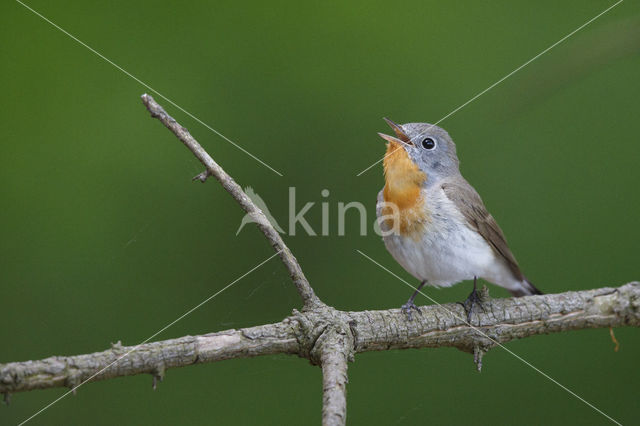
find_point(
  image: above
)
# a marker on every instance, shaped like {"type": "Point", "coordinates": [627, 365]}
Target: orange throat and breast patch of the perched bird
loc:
{"type": "Point", "coordinates": [403, 184]}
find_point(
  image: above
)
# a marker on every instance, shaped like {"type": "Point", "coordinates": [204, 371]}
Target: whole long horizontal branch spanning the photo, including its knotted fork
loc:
{"type": "Point", "coordinates": [306, 334]}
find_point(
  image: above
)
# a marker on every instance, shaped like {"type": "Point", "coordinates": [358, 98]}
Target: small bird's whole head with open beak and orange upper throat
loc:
{"type": "Point", "coordinates": [419, 152]}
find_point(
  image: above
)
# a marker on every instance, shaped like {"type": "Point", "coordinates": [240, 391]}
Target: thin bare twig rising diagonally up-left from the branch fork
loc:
{"type": "Point", "coordinates": [213, 169]}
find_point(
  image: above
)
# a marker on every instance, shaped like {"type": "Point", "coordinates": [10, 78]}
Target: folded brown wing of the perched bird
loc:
{"type": "Point", "coordinates": [470, 204]}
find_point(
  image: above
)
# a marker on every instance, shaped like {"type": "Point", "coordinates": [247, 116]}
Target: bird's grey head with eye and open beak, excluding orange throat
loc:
{"type": "Point", "coordinates": [428, 146]}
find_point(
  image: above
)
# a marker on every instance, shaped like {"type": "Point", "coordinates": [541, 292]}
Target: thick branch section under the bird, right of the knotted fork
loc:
{"type": "Point", "coordinates": [503, 320]}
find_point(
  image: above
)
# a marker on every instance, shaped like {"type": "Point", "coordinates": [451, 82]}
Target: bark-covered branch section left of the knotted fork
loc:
{"type": "Point", "coordinates": [150, 358]}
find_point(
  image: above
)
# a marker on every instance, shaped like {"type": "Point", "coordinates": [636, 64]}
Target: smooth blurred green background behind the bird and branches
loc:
{"type": "Point", "coordinates": [103, 237]}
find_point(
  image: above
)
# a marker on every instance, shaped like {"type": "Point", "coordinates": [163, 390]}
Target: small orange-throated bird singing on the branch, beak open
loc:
{"type": "Point", "coordinates": [434, 223]}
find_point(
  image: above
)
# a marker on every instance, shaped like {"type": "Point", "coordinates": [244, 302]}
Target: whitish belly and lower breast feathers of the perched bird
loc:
{"type": "Point", "coordinates": [449, 251]}
